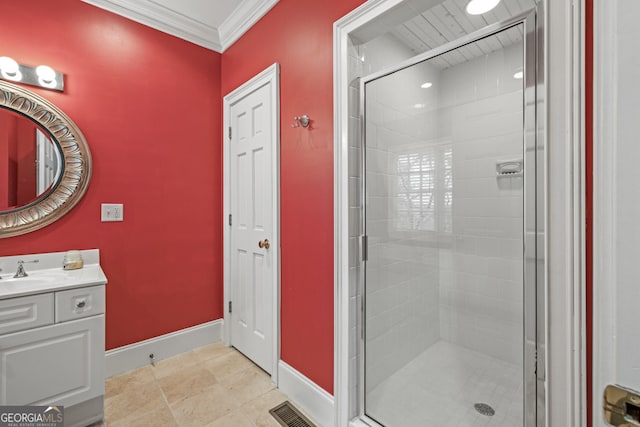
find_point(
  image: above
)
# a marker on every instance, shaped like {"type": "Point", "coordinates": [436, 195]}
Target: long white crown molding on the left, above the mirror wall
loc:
{"type": "Point", "coordinates": [163, 19]}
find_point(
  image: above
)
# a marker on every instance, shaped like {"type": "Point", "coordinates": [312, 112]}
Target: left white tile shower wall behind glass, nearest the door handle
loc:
{"type": "Point", "coordinates": [402, 302]}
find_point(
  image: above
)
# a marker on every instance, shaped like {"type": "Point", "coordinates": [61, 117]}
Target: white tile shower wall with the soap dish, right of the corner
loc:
{"type": "Point", "coordinates": [481, 299]}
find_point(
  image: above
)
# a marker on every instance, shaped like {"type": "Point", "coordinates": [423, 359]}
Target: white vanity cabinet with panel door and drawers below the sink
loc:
{"type": "Point", "coordinates": [52, 344]}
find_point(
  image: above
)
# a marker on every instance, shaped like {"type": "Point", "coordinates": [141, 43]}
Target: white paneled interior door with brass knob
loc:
{"type": "Point", "coordinates": [253, 240]}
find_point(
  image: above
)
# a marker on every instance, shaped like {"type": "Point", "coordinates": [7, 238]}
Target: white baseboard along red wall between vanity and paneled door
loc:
{"type": "Point", "coordinates": [136, 355]}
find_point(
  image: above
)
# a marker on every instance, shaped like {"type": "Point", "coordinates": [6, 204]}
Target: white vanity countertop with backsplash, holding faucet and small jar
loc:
{"type": "Point", "coordinates": [47, 275]}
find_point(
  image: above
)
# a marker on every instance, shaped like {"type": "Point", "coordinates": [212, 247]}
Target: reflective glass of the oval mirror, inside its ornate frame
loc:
{"type": "Point", "coordinates": [30, 161]}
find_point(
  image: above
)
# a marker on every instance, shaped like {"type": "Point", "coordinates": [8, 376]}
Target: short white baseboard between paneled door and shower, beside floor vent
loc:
{"type": "Point", "coordinates": [308, 395]}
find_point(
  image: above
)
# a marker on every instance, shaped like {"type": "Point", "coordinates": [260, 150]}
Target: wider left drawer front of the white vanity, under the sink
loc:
{"type": "Point", "coordinates": [18, 314]}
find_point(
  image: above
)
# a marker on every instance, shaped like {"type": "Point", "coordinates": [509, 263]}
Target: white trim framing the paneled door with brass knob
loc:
{"type": "Point", "coordinates": [270, 76]}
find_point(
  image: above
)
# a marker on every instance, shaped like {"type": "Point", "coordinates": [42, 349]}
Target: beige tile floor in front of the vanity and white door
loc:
{"type": "Point", "coordinates": [213, 386]}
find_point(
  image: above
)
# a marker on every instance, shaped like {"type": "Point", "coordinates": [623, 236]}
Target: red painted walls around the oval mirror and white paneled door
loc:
{"type": "Point", "coordinates": [150, 107]}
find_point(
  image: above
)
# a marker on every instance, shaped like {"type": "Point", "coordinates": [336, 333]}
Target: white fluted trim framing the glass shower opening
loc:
{"type": "Point", "coordinates": [564, 248]}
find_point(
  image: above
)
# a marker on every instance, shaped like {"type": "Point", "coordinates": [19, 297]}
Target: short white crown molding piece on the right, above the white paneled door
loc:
{"type": "Point", "coordinates": [241, 19]}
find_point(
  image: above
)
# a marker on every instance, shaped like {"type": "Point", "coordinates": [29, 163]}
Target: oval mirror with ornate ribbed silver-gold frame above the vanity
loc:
{"type": "Point", "coordinates": [45, 162]}
